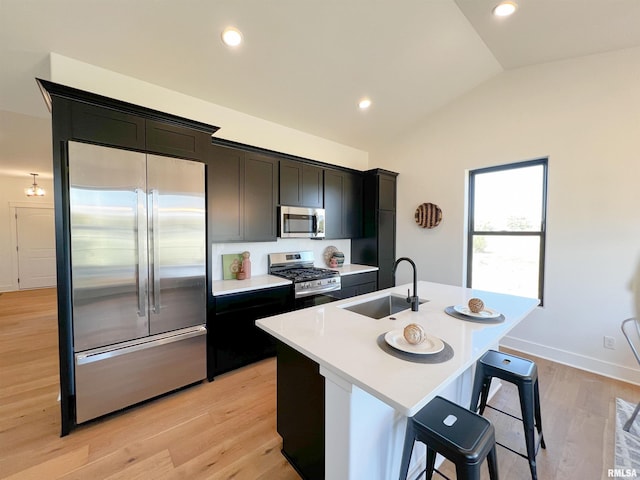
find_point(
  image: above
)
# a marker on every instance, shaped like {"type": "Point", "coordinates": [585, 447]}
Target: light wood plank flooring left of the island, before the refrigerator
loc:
{"type": "Point", "coordinates": [219, 430]}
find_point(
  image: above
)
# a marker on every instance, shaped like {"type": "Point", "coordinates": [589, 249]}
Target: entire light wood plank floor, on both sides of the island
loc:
{"type": "Point", "coordinates": [226, 429]}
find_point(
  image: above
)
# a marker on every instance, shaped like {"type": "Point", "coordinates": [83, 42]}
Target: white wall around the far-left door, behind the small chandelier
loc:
{"type": "Point", "coordinates": [12, 191]}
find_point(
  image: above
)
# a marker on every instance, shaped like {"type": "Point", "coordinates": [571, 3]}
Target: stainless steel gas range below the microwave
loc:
{"type": "Point", "coordinates": [307, 280]}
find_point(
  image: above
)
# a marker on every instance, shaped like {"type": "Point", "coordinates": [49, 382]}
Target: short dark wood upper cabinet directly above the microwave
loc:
{"type": "Point", "coordinates": [300, 184]}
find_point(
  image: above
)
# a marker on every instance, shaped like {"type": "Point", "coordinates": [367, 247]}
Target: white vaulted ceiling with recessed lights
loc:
{"type": "Point", "coordinates": [303, 64]}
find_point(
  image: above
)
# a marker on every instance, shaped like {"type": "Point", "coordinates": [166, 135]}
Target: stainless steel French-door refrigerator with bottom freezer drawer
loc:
{"type": "Point", "coordinates": [138, 278]}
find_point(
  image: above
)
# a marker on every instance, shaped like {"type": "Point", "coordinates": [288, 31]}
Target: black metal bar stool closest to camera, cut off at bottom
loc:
{"type": "Point", "coordinates": [460, 435]}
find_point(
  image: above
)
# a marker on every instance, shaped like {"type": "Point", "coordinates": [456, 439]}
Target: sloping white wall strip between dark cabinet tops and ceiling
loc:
{"type": "Point", "coordinates": [234, 125]}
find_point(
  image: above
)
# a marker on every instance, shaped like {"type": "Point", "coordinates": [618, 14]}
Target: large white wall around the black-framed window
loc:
{"type": "Point", "coordinates": [584, 114]}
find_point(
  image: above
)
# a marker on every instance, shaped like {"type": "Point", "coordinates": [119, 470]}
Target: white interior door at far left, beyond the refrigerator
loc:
{"type": "Point", "coordinates": [35, 239]}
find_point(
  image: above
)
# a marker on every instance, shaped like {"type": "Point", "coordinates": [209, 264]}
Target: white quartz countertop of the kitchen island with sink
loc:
{"type": "Point", "coordinates": [344, 342]}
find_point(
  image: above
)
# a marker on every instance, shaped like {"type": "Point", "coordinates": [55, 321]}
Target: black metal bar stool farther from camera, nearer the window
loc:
{"type": "Point", "coordinates": [524, 374]}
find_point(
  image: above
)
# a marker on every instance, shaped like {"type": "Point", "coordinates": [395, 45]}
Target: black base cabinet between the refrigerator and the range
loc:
{"type": "Point", "coordinates": [233, 337]}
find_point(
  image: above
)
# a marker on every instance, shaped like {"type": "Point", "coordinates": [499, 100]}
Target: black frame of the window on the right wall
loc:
{"type": "Point", "coordinates": [541, 233]}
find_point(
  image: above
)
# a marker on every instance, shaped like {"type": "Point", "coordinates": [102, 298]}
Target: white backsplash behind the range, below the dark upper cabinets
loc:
{"type": "Point", "coordinates": [261, 250]}
